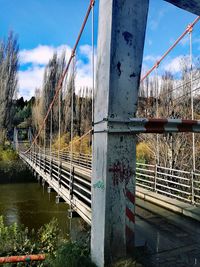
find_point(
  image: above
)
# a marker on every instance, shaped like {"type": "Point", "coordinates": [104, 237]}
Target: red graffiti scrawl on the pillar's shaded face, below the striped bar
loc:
{"type": "Point", "coordinates": [121, 173]}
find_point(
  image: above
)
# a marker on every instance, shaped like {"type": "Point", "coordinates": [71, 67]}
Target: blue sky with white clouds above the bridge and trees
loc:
{"type": "Point", "coordinates": [46, 26]}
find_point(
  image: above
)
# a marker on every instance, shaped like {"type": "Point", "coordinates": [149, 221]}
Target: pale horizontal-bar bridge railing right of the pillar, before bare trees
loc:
{"type": "Point", "coordinates": [174, 183]}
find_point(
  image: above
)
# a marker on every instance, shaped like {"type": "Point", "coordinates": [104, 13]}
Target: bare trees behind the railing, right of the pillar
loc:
{"type": "Point", "coordinates": [171, 97]}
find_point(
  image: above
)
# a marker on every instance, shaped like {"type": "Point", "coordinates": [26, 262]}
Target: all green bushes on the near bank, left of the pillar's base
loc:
{"type": "Point", "coordinates": [19, 240]}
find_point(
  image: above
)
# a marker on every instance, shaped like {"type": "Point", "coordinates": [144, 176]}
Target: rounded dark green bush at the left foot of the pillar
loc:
{"type": "Point", "coordinates": [71, 254]}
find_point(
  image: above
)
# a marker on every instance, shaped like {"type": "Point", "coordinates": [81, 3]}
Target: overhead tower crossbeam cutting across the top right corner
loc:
{"type": "Point", "coordinates": [189, 5]}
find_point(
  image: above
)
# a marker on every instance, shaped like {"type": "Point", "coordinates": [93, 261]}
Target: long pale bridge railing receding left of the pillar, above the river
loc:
{"type": "Point", "coordinates": [60, 172]}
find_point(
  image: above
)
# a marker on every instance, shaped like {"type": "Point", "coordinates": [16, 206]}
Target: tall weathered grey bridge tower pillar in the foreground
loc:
{"type": "Point", "coordinates": [122, 26]}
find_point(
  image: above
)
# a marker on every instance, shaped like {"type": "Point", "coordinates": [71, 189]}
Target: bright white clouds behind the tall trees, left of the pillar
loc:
{"type": "Point", "coordinates": [32, 77]}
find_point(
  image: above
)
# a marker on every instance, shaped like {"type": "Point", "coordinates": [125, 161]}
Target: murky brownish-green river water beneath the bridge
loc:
{"type": "Point", "coordinates": [25, 201]}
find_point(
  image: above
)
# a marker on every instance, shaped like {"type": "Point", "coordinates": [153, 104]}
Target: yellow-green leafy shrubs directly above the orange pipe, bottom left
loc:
{"type": "Point", "coordinates": [18, 240]}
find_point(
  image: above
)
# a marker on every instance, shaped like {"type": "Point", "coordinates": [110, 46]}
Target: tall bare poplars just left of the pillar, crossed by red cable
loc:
{"type": "Point", "coordinates": [75, 106]}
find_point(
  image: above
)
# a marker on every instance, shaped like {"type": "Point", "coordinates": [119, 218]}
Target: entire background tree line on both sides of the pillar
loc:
{"type": "Point", "coordinates": [163, 96]}
